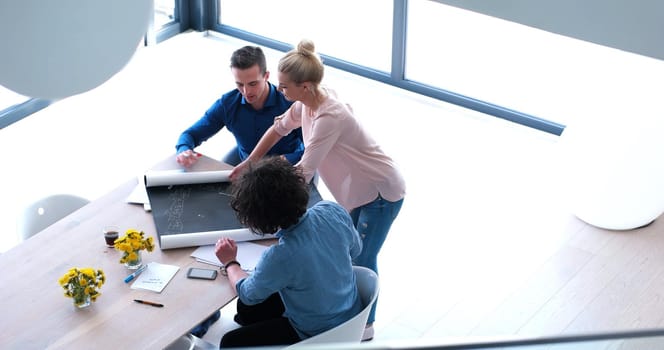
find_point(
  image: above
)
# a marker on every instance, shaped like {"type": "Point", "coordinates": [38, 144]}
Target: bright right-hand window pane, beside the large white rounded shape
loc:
{"type": "Point", "coordinates": [554, 77]}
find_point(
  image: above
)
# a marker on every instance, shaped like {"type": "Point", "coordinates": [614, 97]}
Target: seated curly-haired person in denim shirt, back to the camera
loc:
{"type": "Point", "coordinates": [303, 285]}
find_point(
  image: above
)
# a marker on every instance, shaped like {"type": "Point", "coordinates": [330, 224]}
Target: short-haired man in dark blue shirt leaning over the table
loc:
{"type": "Point", "coordinates": [247, 112]}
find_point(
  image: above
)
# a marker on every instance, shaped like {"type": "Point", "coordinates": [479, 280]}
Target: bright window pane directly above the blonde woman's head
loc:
{"type": "Point", "coordinates": [353, 31]}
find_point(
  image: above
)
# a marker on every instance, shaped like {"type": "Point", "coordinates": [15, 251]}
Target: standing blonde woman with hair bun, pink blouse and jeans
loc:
{"type": "Point", "coordinates": [360, 176]}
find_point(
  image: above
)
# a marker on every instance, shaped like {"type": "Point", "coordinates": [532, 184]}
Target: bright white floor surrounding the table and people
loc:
{"type": "Point", "coordinates": [485, 245]}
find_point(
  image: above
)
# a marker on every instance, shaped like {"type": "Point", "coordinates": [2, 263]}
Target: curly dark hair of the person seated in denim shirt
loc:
{"type": "Point", "coordinates": [271, 195]}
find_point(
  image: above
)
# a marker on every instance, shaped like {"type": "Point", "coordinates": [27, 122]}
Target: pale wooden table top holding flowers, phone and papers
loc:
{"type": "Point", "coordinates": [36, 314]}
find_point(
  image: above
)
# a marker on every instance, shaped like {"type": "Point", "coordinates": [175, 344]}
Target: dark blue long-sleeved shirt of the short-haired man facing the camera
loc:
{"type": "Point", "coordinates": [246, 124]}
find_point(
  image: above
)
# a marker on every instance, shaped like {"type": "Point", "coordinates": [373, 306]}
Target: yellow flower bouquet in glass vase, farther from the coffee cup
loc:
{"type": "Point", "coordinates": [82, 284]}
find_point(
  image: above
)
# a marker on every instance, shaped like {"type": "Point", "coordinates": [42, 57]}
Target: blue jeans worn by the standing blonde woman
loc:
{"type": "Point", "coordinates": [373, 221]}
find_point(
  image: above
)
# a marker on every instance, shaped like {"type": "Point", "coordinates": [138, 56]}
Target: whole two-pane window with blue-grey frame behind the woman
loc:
{"type": "Point", "coordinates": [519, 73]}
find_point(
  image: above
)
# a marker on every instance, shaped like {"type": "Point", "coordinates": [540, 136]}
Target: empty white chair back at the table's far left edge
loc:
{"type": "Point", "coordinates": [46, 211]}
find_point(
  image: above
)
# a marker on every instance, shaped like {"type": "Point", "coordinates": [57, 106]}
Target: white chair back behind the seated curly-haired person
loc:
{"type": "Point", "coordinates": [351, 331]}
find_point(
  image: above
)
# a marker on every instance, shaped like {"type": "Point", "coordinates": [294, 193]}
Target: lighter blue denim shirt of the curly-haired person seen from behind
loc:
{"type": "Point", "coordinates": [311, 268]}
